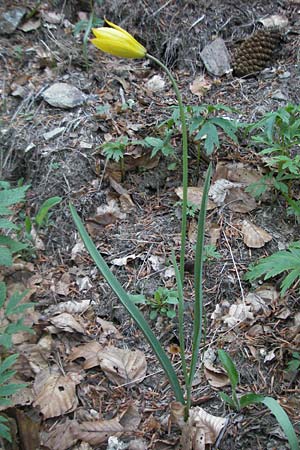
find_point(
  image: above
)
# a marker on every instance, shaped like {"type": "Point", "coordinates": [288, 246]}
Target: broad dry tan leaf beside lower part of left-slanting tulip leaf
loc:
{"type": "Point", "coordinates": [123, 366]}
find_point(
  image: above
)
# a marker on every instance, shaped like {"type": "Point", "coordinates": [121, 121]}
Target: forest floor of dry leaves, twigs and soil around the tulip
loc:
{"type": "Point", "coordinates": [134, 219]}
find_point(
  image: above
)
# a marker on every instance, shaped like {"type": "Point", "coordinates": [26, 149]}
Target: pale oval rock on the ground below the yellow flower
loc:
{"type": "Point", "coordinates": [63, 95]}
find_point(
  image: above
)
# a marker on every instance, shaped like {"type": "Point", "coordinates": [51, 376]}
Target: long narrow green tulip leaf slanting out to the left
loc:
{"type": "Point", "coordinates": [129, 306]}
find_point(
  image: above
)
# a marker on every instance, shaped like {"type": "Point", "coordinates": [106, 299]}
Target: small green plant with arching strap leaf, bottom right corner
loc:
{"type": "Point", "coordinates": [245, 400]}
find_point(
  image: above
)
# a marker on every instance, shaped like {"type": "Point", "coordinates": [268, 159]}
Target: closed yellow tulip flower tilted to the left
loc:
{"type": "Point", "coordinates": [117, 42]}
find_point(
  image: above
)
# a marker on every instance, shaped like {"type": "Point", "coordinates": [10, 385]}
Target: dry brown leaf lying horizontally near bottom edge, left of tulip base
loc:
{"type": "Point", "coordinates": [98, 432]}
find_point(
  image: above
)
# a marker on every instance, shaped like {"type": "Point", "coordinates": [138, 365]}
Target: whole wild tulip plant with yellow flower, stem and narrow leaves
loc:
{"type": "Point", "coordinates": [118, 42]}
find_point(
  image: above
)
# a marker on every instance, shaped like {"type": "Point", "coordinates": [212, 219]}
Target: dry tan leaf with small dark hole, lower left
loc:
{"type": "Point", "coordinates": [55, 394]}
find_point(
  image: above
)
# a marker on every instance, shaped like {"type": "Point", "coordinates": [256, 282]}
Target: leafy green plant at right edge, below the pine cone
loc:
{"type": "Point", "coordinates": [277, 134]}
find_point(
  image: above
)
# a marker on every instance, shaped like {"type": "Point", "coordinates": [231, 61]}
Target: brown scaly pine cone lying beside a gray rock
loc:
{"type": "Point", "coordinates": [255, 53]}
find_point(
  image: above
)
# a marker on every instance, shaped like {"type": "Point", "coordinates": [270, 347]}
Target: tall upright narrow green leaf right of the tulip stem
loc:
{"type": "Point", "coordinates": [199, 257]}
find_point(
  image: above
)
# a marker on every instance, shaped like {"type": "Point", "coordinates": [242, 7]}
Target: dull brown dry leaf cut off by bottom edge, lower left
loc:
{"type": "Point", "coordinates": [61, 437]}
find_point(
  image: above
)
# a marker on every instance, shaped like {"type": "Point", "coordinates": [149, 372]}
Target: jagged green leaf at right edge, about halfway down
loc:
{"type": "Point", "coordinates": [281, 262]}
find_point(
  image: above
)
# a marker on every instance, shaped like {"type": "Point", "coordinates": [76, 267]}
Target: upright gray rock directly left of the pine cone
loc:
{"type": "Point", "coordinates": [216, 58]}
